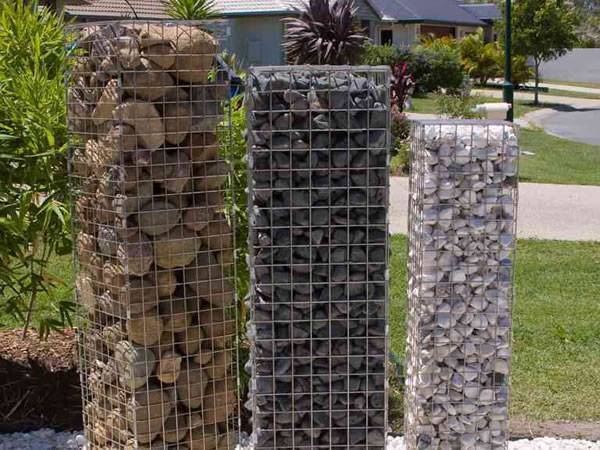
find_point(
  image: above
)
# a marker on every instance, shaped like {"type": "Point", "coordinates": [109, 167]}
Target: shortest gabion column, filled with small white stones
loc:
{"type": "Point", "coordinates": [463, 200]}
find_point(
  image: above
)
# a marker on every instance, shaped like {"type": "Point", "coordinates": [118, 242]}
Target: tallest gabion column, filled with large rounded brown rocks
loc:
{"type": "Point", "coordinates": [154, 246]}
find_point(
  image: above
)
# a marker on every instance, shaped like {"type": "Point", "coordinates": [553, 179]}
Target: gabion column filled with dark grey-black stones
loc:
{"type": "Point", "coordinates": [318, 155]}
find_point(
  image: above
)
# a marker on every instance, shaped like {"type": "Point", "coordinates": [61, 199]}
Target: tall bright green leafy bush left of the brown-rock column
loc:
{"type": "Point", "coordinates": [34, 218]}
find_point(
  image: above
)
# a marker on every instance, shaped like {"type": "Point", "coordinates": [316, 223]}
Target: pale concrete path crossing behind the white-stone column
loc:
{"type": "Point", "coordinates": [546, 211]}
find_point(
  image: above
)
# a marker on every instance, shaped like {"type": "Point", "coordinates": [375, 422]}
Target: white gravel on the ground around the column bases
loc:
{"type": "Point", "coordinates": [50, 440]}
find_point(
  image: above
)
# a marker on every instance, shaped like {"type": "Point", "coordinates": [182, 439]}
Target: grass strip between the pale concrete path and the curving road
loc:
{"type": "Point", "coordinates": [558, 160]}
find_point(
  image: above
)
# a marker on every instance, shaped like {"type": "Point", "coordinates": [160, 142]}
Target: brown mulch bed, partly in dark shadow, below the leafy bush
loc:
{"type": "Point", "coordinates": [39, 383]}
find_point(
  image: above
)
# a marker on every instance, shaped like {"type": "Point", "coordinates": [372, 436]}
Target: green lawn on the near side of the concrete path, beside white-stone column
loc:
{"type": "Point", "coordinates": [556, 329]}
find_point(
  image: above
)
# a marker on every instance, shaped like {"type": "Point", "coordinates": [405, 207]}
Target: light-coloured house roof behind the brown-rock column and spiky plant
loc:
{"type": "Point", "coordinates": [146, 9]}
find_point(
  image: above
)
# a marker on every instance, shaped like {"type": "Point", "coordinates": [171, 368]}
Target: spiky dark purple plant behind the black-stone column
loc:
{"type": "Point", "coordinates": [326, 33]}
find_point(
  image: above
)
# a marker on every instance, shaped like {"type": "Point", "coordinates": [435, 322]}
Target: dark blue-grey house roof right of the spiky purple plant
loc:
{"type": "Point", "coordinates": [436, 11]}
